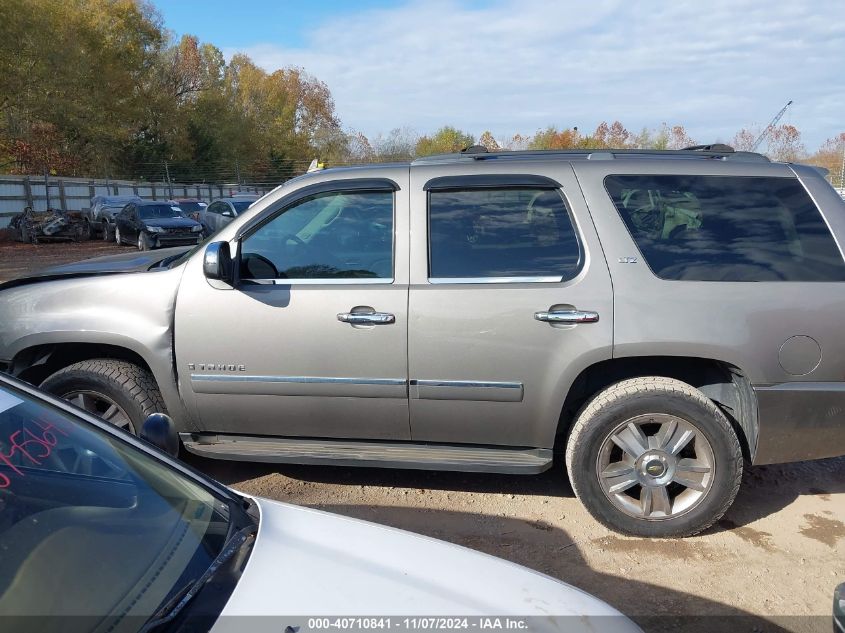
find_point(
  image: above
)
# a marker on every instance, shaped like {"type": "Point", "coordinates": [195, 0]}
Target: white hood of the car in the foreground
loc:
{"type": "Point", "coordinates": [309, 563]}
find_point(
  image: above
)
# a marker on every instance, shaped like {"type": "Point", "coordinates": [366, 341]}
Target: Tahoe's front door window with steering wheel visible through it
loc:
{"type": "Point", "coordinates": [326, 236]}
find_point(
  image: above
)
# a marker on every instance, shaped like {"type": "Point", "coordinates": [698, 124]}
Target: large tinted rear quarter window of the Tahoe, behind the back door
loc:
{"type": "Point", "coordinates": [727, 228]}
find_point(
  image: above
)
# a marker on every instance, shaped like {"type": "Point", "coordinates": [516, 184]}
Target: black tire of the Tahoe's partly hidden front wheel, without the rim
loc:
{"type": "Point", "coordinates": [131, 387]}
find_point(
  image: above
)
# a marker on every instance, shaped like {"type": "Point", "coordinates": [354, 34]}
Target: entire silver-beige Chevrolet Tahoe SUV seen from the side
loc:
{"type": "Point", "coordinates": [656, 319]}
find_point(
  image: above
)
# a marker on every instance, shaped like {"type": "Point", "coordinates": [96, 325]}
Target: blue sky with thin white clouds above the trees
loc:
{"type": "Point", "coordinates": [519, 65]}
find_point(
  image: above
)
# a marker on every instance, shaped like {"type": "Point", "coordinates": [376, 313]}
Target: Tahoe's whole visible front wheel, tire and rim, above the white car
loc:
{"type": "Point", "coordinates": [118, 391]}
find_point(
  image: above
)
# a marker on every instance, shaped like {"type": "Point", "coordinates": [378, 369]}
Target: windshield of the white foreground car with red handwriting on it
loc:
{"type": "Point", "coordinates": [92, 526]}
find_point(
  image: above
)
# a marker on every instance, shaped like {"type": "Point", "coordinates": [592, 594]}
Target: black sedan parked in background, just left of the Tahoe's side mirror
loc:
{"type": "Point", "coordinates": [155, 225]}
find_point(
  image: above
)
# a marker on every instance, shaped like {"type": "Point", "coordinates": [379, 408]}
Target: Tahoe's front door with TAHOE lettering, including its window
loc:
{"type": "Point", "coordinates": [312, 342]}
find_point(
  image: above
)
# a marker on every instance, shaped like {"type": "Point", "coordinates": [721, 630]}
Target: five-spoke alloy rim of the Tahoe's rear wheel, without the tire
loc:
{"type": "Point", "coordinates": [655, 466]}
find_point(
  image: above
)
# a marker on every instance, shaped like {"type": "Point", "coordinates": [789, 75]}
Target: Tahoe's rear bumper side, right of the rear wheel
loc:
{"type": "Point", "coordinates": [800, 420]}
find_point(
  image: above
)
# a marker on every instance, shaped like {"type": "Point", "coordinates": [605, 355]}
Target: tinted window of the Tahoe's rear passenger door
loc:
{"type": "Point", "coordinates": [508, 232]}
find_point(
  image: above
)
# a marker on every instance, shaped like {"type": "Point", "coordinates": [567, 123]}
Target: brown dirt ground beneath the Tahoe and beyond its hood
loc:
{"type": "Point", "coordinates": [770, 565]}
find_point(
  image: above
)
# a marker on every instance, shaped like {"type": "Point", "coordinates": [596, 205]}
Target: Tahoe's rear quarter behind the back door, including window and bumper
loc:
{"type": "Point", "coordinates": [733, 261]}
